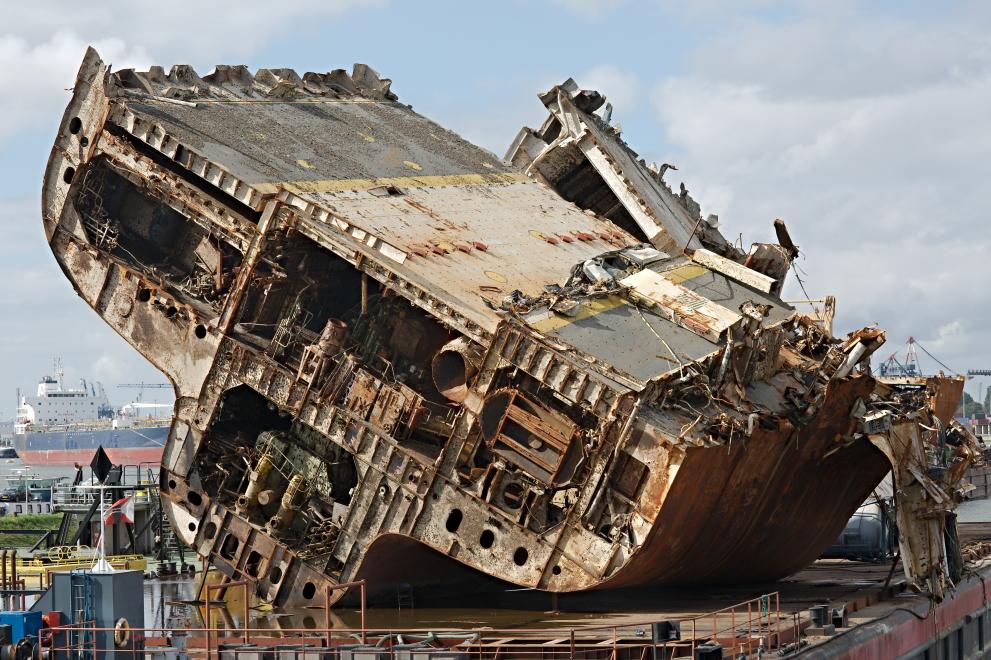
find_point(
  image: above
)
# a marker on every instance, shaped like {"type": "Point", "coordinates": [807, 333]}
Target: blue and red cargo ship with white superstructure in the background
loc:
{"type": "Point", "coordinates": [65, 426]}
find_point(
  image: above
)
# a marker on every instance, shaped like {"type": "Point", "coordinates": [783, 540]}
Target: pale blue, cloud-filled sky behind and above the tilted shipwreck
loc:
{"type": "Point", "coordinates": [865, 125]}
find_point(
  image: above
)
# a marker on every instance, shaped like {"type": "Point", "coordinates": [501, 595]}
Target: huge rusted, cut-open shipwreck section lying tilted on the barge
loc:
{"type": "Point", "coordinates": [382, 338]}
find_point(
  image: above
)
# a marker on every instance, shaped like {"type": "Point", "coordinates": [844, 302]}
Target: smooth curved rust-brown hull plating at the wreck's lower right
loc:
{"type": "Point", "coordinates": [761, 508]}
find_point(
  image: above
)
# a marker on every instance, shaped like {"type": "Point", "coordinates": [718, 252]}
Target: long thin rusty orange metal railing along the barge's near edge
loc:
{"type": "Point", "coordinates": [752, 627]}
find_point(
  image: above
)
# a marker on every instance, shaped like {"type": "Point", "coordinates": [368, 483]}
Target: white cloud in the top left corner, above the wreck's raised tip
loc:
{"type": "Point", "coordinates": [39, 61]}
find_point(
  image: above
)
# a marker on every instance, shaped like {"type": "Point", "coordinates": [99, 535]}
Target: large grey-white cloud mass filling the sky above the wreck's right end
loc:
{"type": "Point", "coordinates": [872, 147]}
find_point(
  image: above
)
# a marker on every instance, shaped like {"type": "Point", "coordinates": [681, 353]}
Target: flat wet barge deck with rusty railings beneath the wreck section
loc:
{"type": "Point", "coordinates": [874, 618]}
